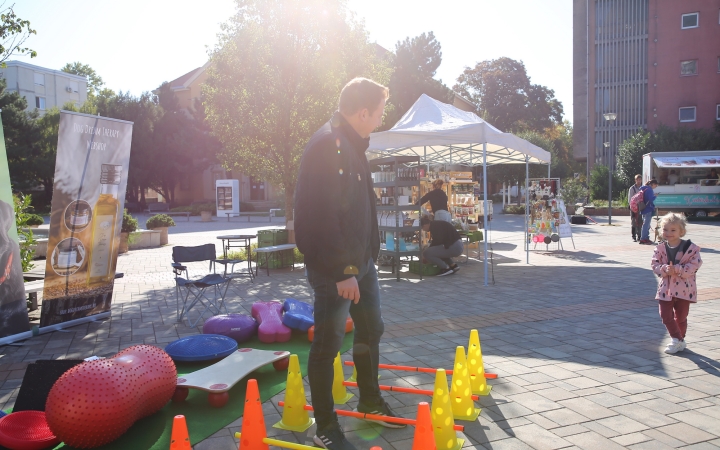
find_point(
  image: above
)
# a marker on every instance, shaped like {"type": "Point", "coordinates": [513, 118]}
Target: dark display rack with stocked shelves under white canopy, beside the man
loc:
{"type": "Point", "coordinates": [394, 175]}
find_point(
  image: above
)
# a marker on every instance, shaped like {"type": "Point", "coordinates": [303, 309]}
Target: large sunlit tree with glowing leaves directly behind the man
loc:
{"type": "Point", "coordinates": [275, 78]}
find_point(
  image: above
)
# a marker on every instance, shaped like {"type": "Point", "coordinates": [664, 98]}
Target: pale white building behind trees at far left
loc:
{"type": "Point", "coordinates": [44, 88]}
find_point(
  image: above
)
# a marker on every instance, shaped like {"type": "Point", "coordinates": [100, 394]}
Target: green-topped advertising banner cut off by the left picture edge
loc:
{"type": "Point", "coordinates": [13, 309]}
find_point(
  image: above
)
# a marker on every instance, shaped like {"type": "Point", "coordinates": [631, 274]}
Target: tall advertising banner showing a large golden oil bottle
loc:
{"type": "Point", "coordinates": [91, 172]}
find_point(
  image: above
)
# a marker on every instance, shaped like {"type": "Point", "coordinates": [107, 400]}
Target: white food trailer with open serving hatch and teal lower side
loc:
{"type": "Point", "coordinates": [684, 180]}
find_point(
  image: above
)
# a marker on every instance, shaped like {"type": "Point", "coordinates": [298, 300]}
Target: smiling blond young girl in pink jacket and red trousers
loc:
{"type": "Point", "coordinates": [676, 261]}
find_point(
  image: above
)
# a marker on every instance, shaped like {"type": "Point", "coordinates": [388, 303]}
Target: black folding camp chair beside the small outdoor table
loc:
{"type": "Point", "coordinates": [194, 290]}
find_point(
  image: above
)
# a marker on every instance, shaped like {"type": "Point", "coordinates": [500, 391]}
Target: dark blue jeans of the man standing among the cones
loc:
{"type": "Point", "coordinates": [331, 311]}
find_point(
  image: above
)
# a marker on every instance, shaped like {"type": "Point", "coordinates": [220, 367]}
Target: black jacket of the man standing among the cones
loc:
{"type": "Point", "coordinates": [335, 217]}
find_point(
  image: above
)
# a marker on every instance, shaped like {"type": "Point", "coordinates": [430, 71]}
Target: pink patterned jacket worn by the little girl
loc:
{"type": "Point", "coordinates": [682, 286]}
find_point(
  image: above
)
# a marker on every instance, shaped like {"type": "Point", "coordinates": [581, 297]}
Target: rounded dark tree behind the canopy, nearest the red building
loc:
{"type": "Point", "coordinates": [504, 95]}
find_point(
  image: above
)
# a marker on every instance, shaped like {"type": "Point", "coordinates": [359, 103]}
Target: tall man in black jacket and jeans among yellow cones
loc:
{"type": "Point", "coordinates": [336, 230]}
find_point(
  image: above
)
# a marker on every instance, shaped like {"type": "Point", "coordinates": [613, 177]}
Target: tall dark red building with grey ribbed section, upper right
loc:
{"type": "Point", "coordinates": [649, 62]}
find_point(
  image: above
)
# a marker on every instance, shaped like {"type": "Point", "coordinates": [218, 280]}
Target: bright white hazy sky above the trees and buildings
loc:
{"type": "Point", "coordinates": [136, 45]}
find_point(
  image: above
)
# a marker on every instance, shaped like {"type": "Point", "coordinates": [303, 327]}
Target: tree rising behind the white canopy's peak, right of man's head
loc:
{"type": "Point", "coordinates": [415, 63]}
